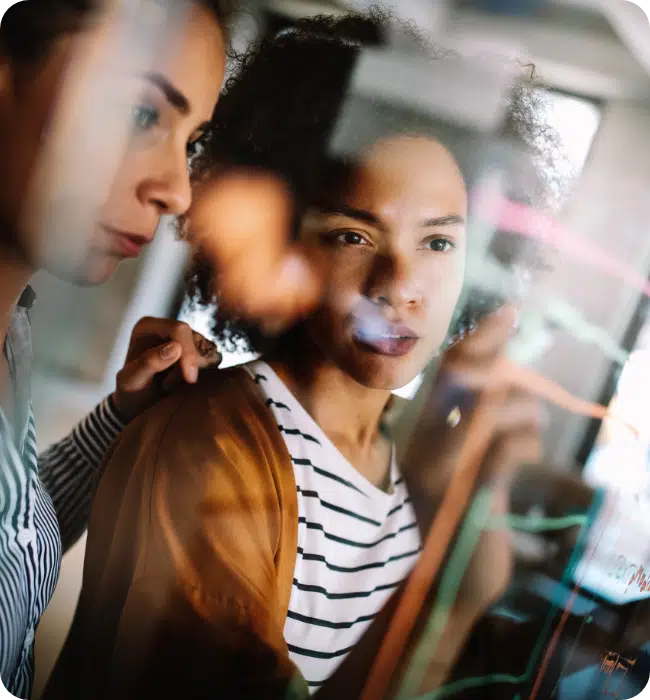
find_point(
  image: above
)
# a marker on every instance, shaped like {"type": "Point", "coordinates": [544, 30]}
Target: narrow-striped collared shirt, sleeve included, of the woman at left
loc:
{"type": "Point", "coordinates": [44, 507]}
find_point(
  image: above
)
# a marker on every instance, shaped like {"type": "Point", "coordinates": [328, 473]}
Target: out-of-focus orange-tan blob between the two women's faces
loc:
{"type": "Point", "coordinates": [243, 222]}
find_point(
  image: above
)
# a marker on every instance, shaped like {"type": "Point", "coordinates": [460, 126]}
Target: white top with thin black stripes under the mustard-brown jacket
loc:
{"type": "Point", "coordinates": [356, 543]}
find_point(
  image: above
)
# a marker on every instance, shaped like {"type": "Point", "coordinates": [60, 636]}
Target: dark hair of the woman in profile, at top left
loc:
{"type": "Point", "coordinates": [28, 28]}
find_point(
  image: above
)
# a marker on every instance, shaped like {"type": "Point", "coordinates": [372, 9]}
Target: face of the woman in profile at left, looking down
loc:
{"type": "Point", "coordinates": [174, 100]}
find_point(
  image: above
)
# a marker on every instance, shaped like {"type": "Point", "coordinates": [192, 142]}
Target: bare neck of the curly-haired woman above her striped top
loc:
{"type": "Point", "coordinates": [347, 412]}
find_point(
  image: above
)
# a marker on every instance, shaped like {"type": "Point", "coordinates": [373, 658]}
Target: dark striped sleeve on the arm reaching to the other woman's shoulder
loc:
{"type": "Point", "coordinates": [69, 468]}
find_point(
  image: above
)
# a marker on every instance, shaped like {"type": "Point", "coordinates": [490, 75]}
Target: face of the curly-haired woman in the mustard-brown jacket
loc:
{"type": "Point", "coordinates": [393, 247]}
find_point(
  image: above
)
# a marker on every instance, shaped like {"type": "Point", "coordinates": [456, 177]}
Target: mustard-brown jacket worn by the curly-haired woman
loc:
{"type": "Point", "coordinates": [190, 556]}
